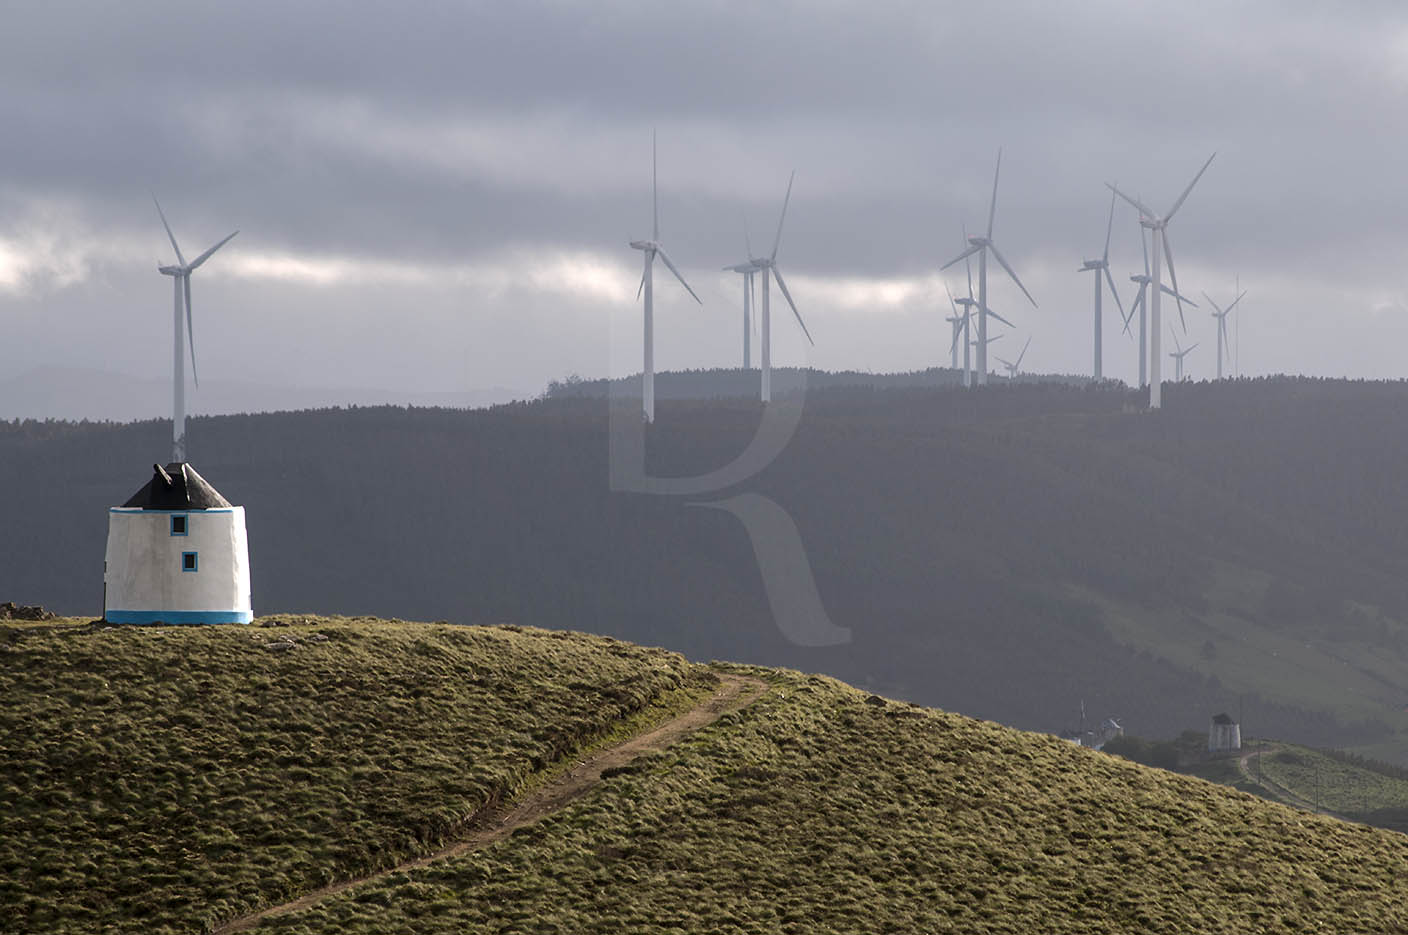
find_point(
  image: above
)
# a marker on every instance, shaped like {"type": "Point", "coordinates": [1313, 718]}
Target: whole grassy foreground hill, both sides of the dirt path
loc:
{"type": "Point", "coordinates": [165, 779]}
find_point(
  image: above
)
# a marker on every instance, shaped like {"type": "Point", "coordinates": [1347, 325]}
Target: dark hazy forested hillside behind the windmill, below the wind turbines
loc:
{"type": "Point", "coordinates": [1006, 554]}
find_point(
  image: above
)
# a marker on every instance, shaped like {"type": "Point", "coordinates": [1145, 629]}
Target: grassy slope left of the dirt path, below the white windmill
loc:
{"type": "Point", "coordinates": [165, 779]}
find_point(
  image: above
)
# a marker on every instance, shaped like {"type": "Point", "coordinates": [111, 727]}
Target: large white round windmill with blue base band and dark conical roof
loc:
{"type": "Point", "coordinates": [177, 554]}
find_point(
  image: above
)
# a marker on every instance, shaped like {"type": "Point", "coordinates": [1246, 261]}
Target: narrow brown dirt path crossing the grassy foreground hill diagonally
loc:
{"type": "Point", "coordinates": [499, 822]}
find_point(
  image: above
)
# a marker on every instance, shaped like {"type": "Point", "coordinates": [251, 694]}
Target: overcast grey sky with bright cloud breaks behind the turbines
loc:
{"type": "Point", "coordinates": [440, 198]}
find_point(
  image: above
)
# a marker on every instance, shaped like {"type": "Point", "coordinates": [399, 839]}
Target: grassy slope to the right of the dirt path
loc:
{"type": "Point", "coordinates": [823, 810]}
